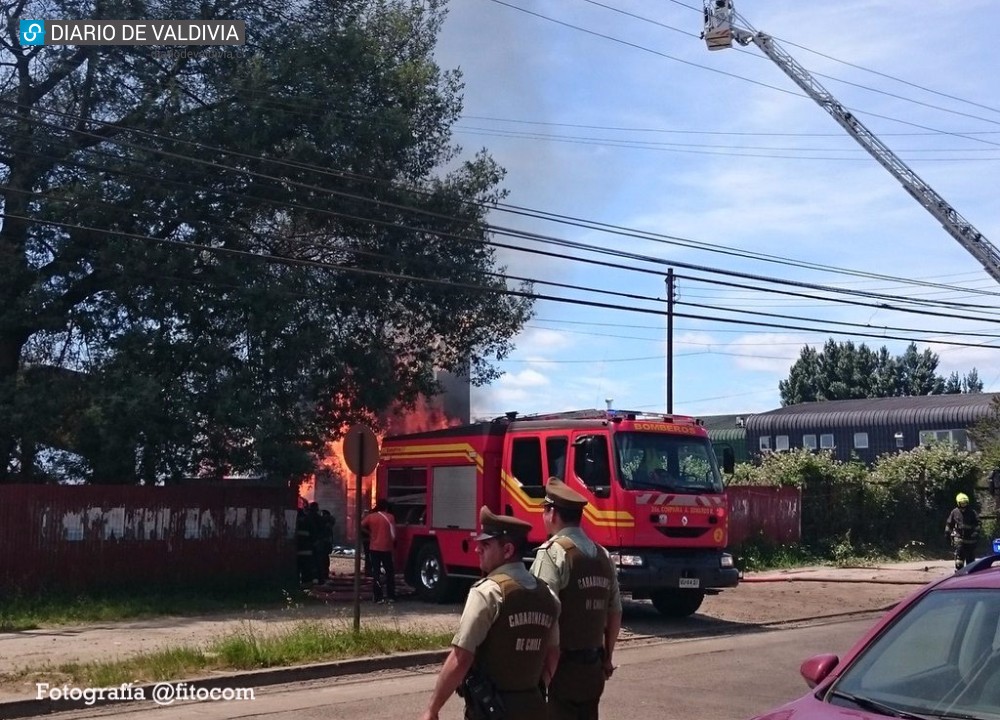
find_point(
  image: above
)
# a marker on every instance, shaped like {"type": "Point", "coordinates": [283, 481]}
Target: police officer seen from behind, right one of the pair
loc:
{"type": "Point", "coordinates": [584, 576]}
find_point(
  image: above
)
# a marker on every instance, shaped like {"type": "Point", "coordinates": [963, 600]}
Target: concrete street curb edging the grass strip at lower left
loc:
{"type": "Point", "coordinates": [248, 679]}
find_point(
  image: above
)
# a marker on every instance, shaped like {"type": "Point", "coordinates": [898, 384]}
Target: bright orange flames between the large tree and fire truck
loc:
{"type": "Point", "coordinates": [427, 414]}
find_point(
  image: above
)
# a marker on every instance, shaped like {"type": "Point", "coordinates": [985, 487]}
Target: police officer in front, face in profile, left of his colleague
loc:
{"type": "Point", "coordinates": [509, 631]}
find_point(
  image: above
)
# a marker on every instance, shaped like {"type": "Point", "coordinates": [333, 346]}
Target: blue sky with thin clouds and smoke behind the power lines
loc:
{"type": "Point", "coordinates": [651, 131]}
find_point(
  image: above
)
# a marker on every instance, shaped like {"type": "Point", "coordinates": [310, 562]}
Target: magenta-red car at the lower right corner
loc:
{"type": "Point", "coordinates": [935, 655]}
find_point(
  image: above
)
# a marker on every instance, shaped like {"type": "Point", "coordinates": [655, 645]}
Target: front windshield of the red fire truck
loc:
{"type": "Point", "coordinates": [670, 463]}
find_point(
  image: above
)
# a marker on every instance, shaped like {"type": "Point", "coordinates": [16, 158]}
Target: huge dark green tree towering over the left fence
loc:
{"type": "Point", "coordinates": [211, 260]}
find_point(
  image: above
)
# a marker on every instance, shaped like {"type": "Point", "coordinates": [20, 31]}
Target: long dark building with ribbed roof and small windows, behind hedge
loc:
{"type": "Point", "coordinates": [868, 427]}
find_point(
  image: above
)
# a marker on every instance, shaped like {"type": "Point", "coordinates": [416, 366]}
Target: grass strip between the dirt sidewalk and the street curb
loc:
{"type": "Point", "coordinates": [249, 648]}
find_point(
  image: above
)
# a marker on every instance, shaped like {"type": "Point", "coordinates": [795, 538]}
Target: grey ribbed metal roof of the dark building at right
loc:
{"type": "Point", "coordinates": [937, 411]}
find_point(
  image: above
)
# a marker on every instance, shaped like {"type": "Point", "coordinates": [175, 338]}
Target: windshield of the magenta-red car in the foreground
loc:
{"type": "Point", "coordinates": [941, 658]}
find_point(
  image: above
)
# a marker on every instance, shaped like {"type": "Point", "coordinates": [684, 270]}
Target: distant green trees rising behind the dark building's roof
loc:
{"type": "Point", "coordinates": [843, 371]}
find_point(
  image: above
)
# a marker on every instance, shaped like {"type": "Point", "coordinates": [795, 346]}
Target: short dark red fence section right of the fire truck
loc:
{"type": "Point", "coordinates": [770, 513]}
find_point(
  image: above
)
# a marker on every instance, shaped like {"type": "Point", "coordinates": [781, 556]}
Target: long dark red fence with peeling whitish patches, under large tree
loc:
{"type": "Point", "coordinates": [57, 537]}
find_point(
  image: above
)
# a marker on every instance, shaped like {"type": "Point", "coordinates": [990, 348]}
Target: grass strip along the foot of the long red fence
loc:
{"type": "Point", "coordinates": [27, 612]}
